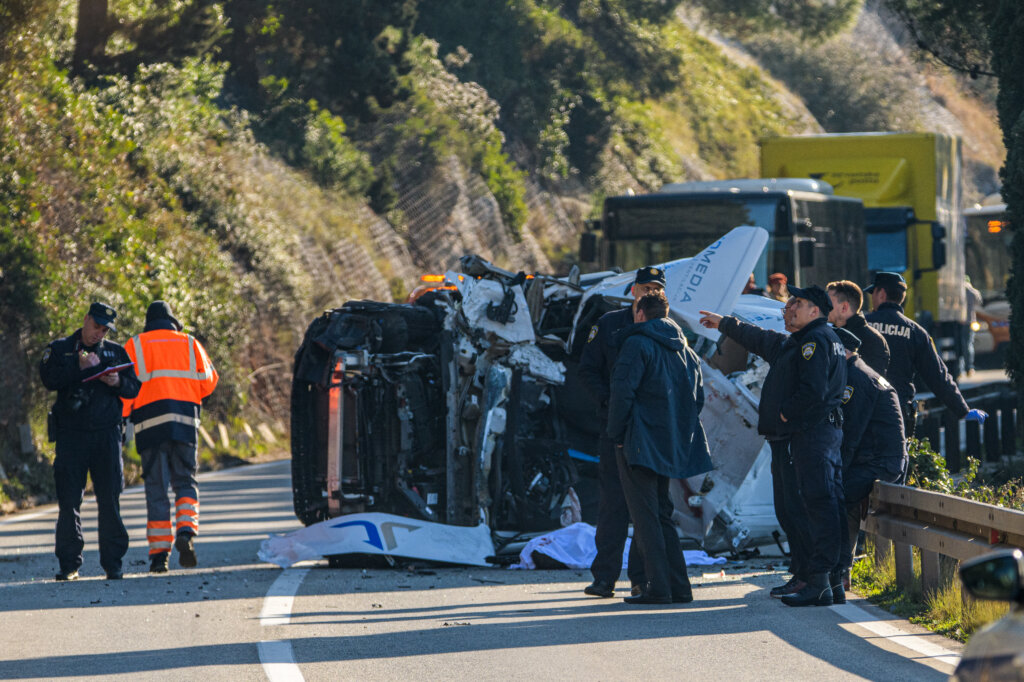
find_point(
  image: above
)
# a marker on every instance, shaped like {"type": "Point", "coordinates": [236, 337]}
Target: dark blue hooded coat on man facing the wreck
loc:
{"type": "Point", "coordinates": [656, 401]}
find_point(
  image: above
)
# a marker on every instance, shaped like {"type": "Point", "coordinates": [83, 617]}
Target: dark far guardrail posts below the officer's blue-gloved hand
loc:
{"type": "Point", "coordinates": [990, 443]}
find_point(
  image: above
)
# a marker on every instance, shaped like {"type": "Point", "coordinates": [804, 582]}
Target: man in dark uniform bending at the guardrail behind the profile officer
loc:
{"type": "Point", "coordinates": [874, 447]}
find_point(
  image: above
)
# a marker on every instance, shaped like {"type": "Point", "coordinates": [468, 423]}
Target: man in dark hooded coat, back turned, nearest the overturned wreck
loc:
{"type": "Point", "coordinates": [654, 419]}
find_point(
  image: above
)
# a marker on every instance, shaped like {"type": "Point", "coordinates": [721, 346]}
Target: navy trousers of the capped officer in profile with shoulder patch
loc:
{"type": "Point", "coordinates": [820, 475]}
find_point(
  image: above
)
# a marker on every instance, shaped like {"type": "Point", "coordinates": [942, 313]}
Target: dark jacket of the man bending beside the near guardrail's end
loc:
{"type": "Point", "coordinates": [873, 425]}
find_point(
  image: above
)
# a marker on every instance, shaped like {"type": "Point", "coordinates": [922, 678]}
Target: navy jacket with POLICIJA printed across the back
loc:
{"type": "Point", "coordinates": [912, 351]}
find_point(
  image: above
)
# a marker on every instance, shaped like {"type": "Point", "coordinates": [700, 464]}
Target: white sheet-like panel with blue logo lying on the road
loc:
{"type": "Point", "coordinates": [383, 535]}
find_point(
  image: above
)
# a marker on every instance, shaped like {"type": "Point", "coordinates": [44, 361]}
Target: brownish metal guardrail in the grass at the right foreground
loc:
{"type": "Point", "coordinates": [941, 526]}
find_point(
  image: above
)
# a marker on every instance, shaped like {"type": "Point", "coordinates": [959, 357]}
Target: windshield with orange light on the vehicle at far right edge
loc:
{"type": "Point", "coordinates": [988, 248]}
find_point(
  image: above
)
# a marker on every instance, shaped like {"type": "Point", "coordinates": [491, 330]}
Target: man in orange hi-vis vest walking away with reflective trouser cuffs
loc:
{"type": "Point", "coordinates": [177, 375]}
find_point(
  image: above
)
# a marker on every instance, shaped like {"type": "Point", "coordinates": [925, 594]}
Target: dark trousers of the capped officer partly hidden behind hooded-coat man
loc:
{"type": "Point", "coordinates": [613, 525]}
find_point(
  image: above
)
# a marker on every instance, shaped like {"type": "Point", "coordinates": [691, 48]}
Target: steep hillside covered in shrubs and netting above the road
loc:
{"type": "Point", "coordinates": [255, 164]}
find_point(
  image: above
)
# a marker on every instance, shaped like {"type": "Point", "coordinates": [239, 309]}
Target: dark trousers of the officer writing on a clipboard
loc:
{"type": "Point", "coordinates": [99, 455]}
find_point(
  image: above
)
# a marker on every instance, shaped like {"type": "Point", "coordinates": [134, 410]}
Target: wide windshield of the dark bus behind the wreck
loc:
{"type": "Point", "coordinates": [647, 230]}
